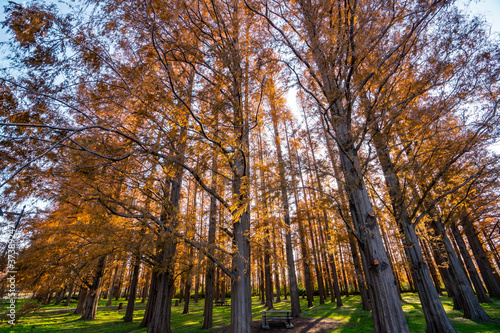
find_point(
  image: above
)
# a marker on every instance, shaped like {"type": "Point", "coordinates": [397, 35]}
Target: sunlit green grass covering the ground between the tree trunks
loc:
{"type": "Point", "coordinates": [352, 317]}
